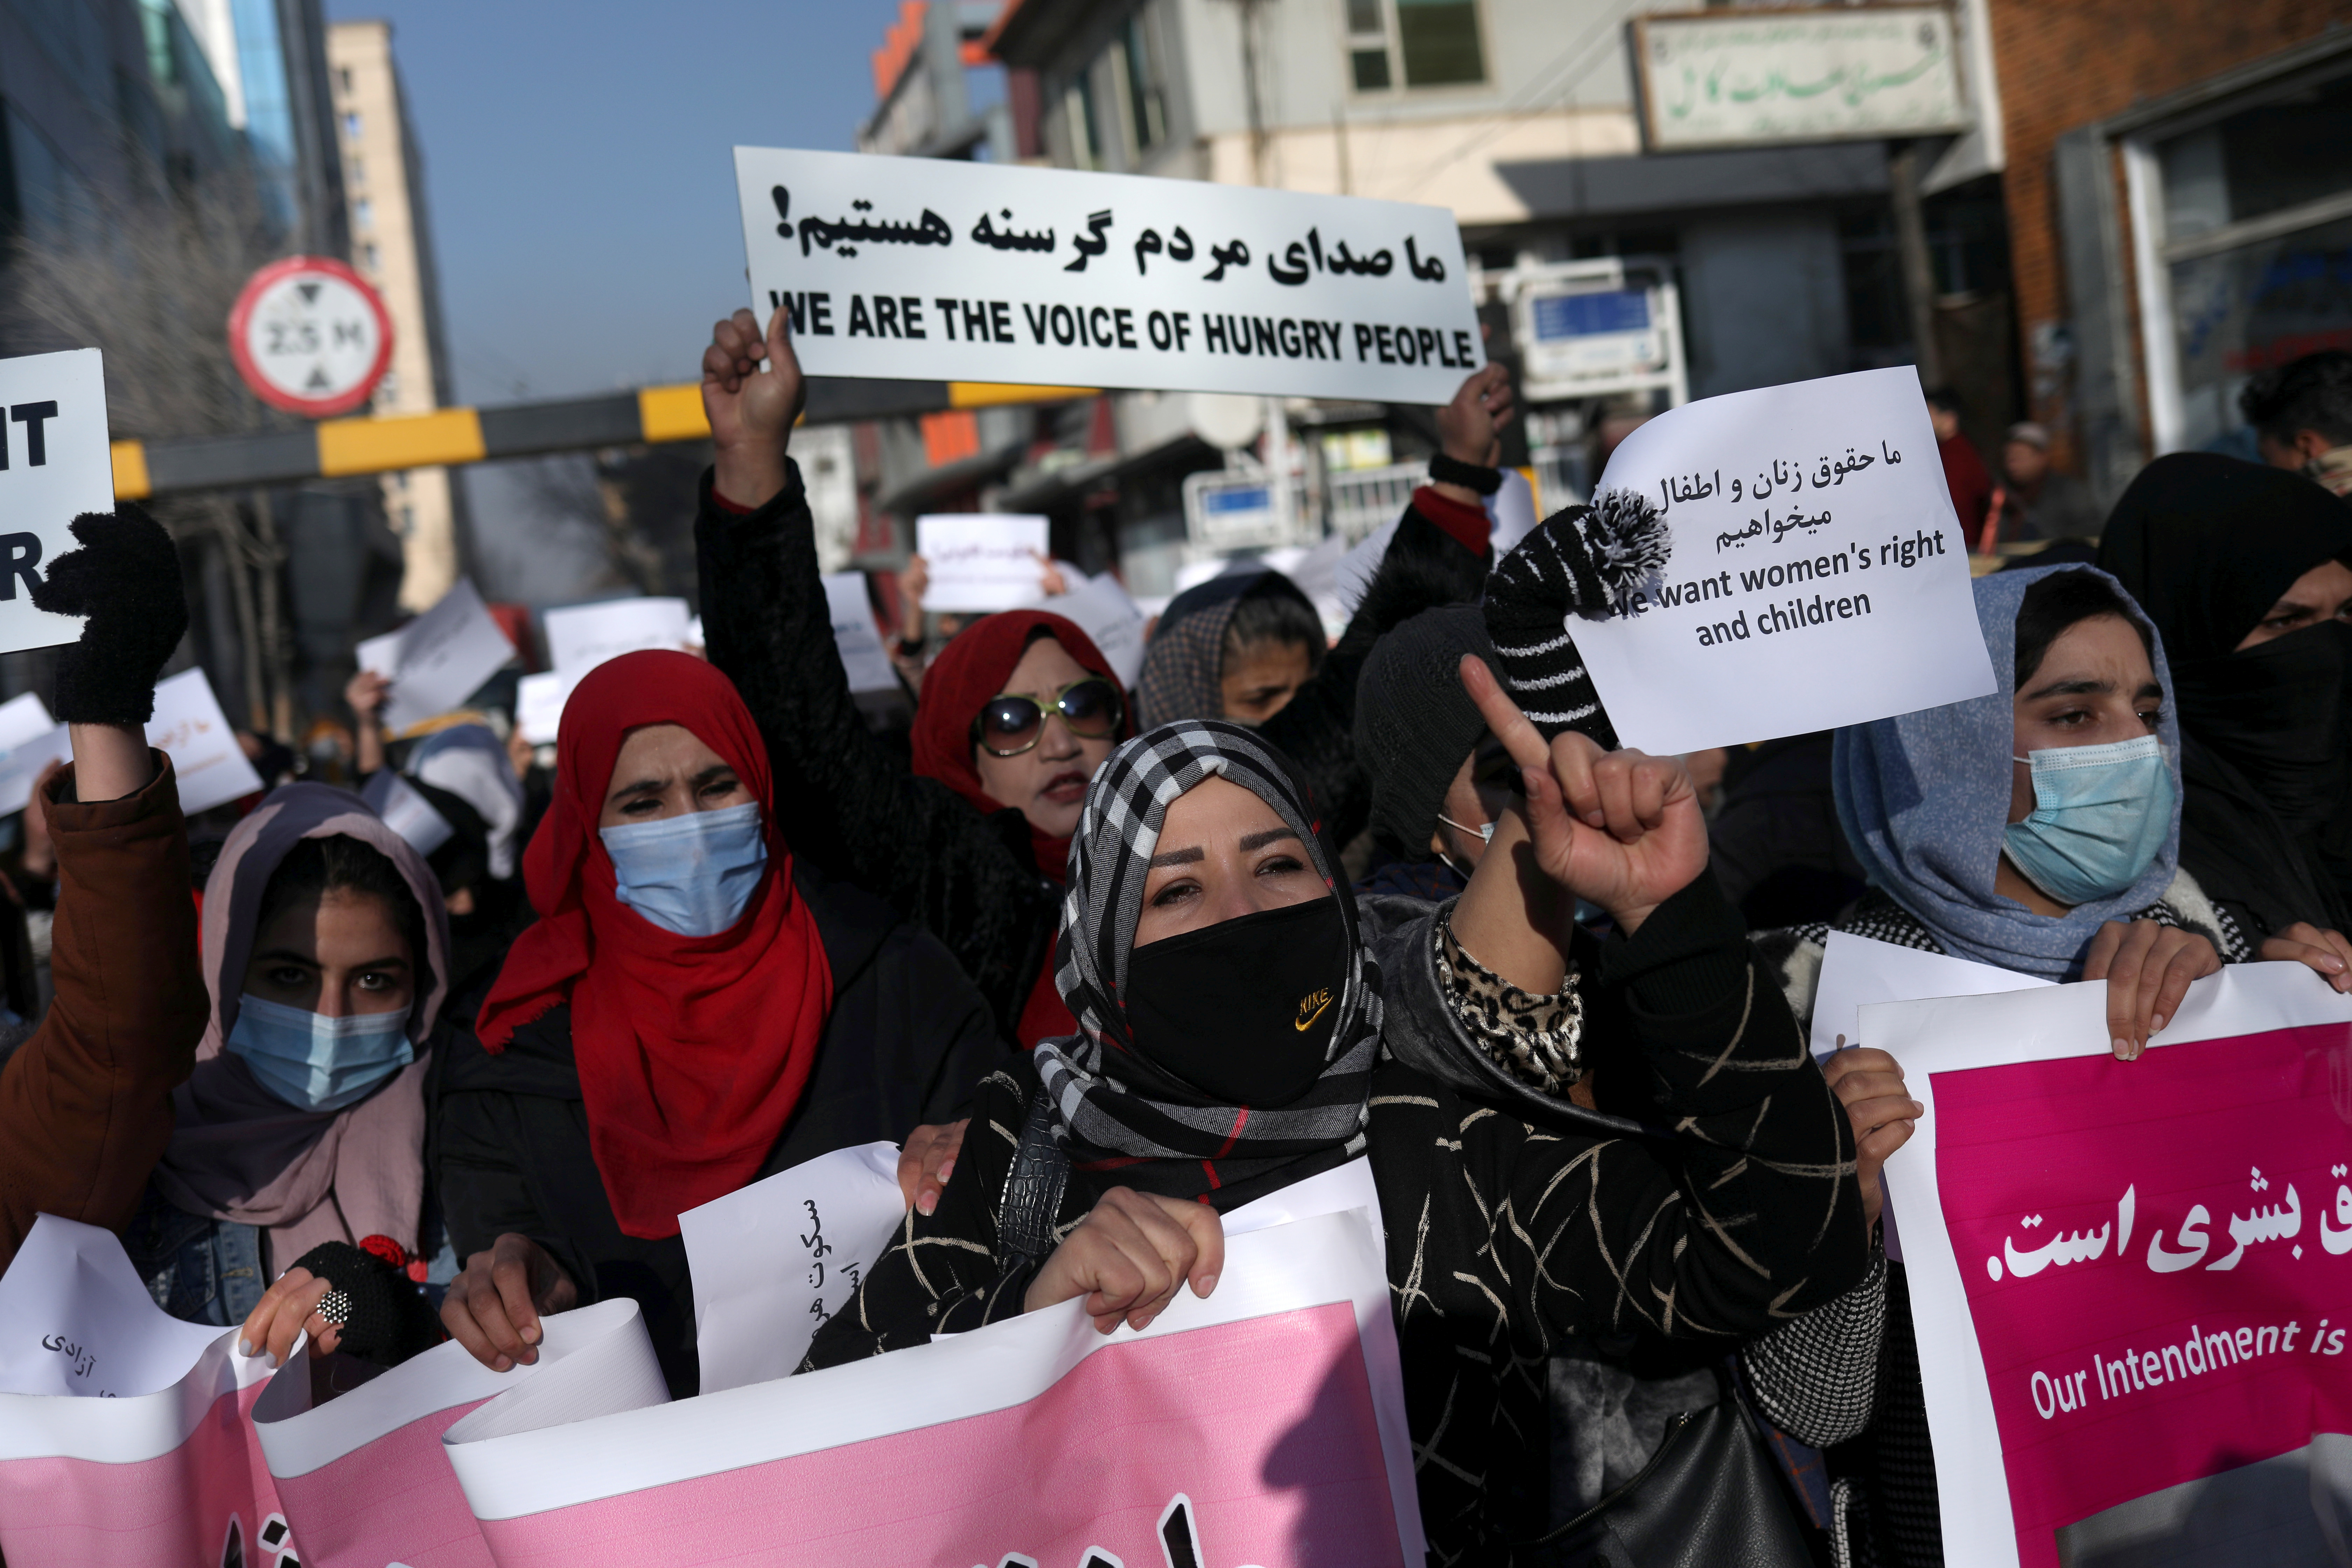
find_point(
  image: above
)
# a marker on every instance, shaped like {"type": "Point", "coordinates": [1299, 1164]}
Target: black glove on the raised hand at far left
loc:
{"type": "Point", "coordinates": [126, 579]}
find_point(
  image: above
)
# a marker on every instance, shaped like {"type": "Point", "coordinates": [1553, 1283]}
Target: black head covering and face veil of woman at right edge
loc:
{"type": "Point", "coordinates": [2207, 547]}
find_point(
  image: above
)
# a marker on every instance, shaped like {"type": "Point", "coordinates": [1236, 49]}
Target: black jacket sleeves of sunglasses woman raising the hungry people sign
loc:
{"type": "Point", "coordinates": [965, 876]}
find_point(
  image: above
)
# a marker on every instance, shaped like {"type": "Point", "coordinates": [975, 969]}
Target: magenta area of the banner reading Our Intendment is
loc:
{"type": "Point", "coordinates": [2156, 1261]}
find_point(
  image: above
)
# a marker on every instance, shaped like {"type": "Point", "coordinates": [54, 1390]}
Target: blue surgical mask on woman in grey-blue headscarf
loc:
{"type": "Point", "coordinates": [2099, 822]}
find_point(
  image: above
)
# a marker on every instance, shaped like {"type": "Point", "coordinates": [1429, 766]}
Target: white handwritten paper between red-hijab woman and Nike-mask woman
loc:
{"type": "Point", "coordinates": [773, 1261]}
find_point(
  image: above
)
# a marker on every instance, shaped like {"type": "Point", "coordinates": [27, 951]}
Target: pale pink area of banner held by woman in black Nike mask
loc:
{"type": "Point", "coordinates": [1257, 1440]}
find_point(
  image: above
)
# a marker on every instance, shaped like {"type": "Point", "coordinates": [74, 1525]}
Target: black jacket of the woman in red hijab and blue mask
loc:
{"type": "Point", "coordinates": [509, 1139]}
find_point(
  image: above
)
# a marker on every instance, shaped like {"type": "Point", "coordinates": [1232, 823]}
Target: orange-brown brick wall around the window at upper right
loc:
{"type": "Point", "coordinates": [2071, 62]}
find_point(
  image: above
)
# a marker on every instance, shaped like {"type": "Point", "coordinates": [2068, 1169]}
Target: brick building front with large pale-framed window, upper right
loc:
{"type": "Point", "coordinates": [2181, 213]}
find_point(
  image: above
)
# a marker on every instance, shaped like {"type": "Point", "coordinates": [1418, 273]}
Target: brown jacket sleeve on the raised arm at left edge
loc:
{"type": "Point", "coordinates": [86, 1104]}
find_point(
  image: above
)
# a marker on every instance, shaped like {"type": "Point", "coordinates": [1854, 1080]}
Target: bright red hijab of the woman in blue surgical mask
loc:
{"type": "Point", "coordinates": [693, 1050]}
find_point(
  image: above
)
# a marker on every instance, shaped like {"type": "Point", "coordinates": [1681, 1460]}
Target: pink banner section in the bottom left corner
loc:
{"type": "Point", "coordinates": [206, 1503]}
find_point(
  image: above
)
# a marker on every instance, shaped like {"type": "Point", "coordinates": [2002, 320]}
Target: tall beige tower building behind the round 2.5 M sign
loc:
{"type": "Point", "coordinates": [392, 246]}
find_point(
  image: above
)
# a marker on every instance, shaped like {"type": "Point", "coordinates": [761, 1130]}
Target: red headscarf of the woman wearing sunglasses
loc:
{"type": "Point", "coordinates": [970, 671]}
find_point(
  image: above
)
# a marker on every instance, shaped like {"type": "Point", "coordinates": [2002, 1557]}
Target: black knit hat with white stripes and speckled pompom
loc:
{"type": "Point", "coordinates": [1579, 563]}
